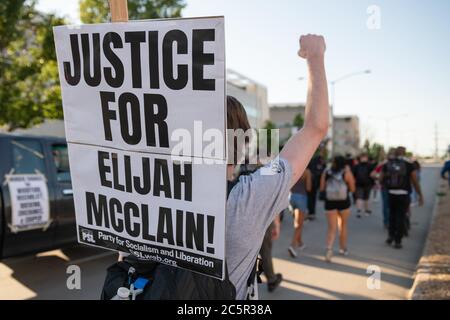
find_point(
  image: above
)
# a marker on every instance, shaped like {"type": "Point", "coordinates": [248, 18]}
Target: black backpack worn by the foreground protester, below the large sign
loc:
{"type": "Point", "coordinates": [162, 282]}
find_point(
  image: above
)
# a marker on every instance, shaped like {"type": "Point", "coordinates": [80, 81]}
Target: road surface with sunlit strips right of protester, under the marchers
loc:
{"type": "Point", "coordinates": [310, 277]}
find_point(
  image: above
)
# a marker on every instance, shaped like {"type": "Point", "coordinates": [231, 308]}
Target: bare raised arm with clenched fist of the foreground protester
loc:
{"type": "Point", "coordinates": [299, 150]}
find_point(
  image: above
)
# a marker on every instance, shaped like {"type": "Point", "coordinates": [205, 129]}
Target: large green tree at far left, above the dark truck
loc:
{"type": "Point", "coordinates": [29, 85]}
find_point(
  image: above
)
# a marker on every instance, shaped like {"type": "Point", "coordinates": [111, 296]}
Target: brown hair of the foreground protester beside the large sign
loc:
{"type": "Point", "coordinates": [236, 119]}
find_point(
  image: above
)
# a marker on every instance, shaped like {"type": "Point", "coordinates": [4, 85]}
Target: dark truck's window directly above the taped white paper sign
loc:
{"type": "Point", "coordinates": [27, 157]}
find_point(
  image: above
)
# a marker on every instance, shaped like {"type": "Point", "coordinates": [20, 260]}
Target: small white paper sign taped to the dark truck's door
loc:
{"type": "Point", "coordinates": [29, 200]}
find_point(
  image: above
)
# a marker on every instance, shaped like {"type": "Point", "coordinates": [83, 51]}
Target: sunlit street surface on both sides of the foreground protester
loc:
{"type": "Point", "coordinates": [43, 276]}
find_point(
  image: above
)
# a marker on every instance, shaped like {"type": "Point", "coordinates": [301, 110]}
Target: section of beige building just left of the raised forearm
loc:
{"type": "Point", "coordinates": [283, 115]}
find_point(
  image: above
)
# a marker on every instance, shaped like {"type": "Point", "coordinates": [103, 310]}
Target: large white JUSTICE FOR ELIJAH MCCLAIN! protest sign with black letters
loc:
{"type": "Point", "coordinates": [128, 89]}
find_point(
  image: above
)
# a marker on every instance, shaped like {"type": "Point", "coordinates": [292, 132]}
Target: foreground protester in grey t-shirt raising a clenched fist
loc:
{"type": "Point", "coordinates": [252, 204]}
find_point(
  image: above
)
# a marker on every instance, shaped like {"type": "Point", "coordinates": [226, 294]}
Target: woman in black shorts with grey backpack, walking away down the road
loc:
{"type": "Point", "coordinates": [336, 184]}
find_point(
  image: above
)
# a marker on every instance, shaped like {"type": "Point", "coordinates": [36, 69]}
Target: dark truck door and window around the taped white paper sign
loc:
{"type": "Point", "coordinates": [26, 156]}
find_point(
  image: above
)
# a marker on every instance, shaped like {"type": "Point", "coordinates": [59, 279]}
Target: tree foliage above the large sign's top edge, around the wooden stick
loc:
{"type": "Point", "coordinates": [97, 11]}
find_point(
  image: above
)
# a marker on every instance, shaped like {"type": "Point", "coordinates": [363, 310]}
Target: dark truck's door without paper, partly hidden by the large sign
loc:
{"type": "Point", "coordinates": [64, 205]}
